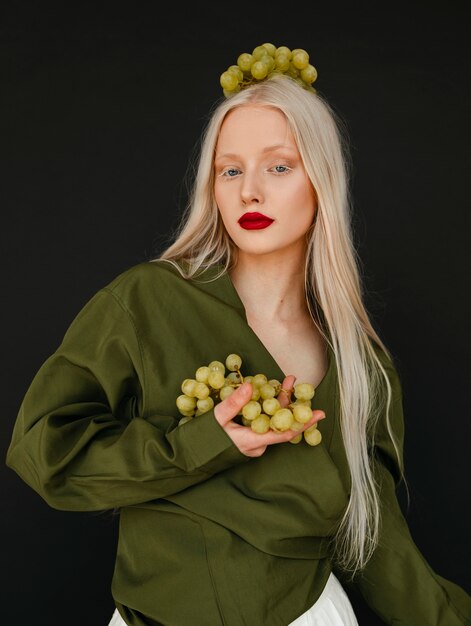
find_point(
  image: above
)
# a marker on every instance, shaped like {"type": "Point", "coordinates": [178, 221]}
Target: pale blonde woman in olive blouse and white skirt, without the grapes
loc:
{"type": "Point", "coordinates": [218, 524]}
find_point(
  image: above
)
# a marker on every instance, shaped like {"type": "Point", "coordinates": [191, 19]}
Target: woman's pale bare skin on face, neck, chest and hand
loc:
{"type": "Point", "coordinates": [258, 167]}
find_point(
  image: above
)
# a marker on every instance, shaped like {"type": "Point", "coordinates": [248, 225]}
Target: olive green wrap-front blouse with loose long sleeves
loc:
{"type": "Point", "coordinates": [207, 535]}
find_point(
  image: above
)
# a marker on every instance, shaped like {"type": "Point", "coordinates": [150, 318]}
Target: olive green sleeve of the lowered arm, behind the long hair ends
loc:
{"type": "Point", "coordinates": [398, 583]}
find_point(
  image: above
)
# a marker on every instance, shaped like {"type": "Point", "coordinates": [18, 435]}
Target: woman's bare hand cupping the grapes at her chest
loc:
{"type": "Point", "coordinates": [251, 443]}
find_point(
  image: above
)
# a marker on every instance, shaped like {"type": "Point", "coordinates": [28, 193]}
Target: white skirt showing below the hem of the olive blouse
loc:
{"type": "Point", "coordinates": [332, 608]}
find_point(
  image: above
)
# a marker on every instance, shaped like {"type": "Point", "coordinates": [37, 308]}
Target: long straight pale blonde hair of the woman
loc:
{"type": "Point", "coordinates": [332, 284]}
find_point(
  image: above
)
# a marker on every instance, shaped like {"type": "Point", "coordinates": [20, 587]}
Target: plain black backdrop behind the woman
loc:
{"type": "Point", "coordinates": [101, 110]}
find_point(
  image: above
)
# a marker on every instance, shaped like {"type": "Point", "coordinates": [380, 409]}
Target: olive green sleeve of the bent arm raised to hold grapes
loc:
{"type": "Point", "coordinates": [83, 438]}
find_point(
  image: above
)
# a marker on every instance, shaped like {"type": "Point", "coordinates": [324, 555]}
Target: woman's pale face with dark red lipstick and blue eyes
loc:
{"type": "Point", "coordinates": [258, 170]}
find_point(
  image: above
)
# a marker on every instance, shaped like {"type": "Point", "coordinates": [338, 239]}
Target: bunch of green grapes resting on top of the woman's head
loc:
{"type": "Point", "coordinates": [263, 62]}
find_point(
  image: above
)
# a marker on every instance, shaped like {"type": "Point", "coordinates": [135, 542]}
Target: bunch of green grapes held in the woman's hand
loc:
{"type": "Point", "coordinates": [214, 382]}
